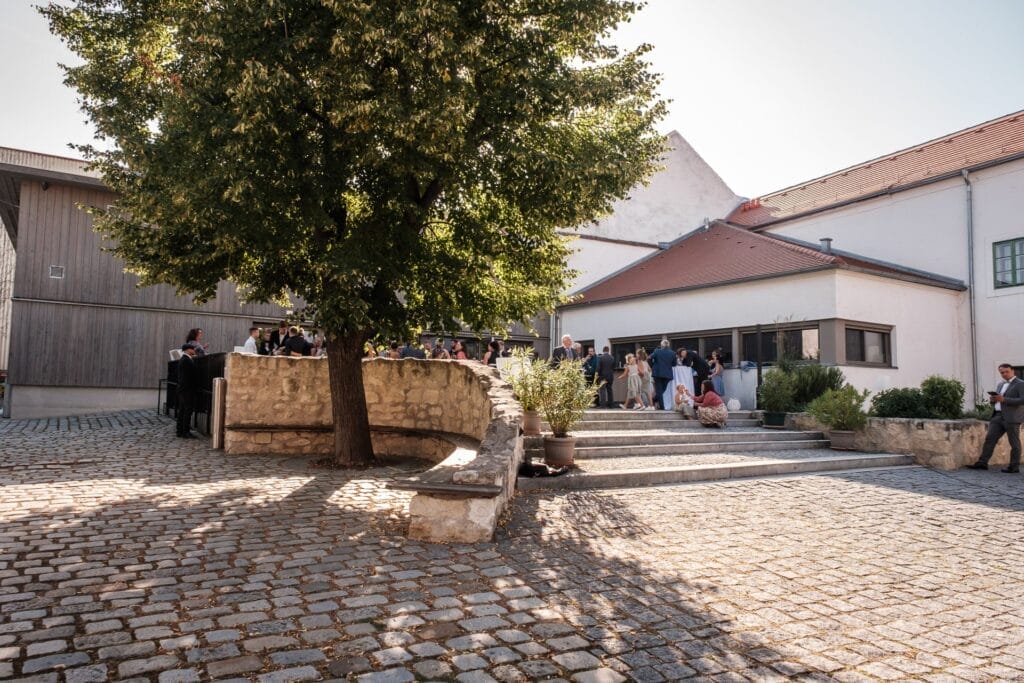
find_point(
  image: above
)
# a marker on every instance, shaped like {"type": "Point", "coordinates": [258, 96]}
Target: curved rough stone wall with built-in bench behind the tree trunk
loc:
{"type": "Point", "coordinates": [433, 410]}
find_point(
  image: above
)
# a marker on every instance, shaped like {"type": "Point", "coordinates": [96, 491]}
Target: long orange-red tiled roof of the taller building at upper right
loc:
{"type": "Point", "coordinates": [985, 144]}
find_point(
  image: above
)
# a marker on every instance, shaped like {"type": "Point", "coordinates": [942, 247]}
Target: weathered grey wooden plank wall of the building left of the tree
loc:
{"type": "Point", "coordinates": [96, 328]}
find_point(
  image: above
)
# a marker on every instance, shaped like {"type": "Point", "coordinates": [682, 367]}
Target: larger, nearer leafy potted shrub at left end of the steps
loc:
{"type": "Point", "coordinates": [567, 397]}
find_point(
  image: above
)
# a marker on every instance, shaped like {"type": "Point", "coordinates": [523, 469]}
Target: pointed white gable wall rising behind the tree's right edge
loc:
{"type": "Point", "coordinates": [675, 202]}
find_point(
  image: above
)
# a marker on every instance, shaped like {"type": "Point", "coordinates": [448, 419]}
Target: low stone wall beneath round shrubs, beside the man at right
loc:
{"type": "Point", "coordinates": [945, 445]}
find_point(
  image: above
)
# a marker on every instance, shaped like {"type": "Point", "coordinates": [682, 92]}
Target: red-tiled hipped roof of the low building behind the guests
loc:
{"type": "Point", "coordinates": [723, 254]}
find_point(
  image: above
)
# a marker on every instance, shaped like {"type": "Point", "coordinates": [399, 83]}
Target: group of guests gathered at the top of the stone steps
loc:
{"type": "Point", "coordinates": [649, 379]}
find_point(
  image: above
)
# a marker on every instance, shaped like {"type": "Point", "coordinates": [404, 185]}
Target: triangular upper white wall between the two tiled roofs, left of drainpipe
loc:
{"type": "Point", "coordinates": [923, 229]}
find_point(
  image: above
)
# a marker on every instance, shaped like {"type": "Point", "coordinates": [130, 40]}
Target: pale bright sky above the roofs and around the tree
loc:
{"type": "Point", "coordinates": [772, 94]}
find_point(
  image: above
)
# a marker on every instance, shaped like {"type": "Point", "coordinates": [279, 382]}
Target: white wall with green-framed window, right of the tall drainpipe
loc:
{"type": "Point", "coordinates": [998, 217]}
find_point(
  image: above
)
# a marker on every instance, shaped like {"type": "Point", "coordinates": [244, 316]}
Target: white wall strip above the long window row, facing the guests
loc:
{"type": "Point", "coordinates": [798, 297]}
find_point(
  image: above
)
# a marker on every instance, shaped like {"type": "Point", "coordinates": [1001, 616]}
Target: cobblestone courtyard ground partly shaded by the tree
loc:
{"type": "Point", "coordinates": [127, 554]}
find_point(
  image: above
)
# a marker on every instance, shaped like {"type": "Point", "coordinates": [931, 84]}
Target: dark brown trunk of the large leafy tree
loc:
{"type": "Point", "coordinates": [353, 447]}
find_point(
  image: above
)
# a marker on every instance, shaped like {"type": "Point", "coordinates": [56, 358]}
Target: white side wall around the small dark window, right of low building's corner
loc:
{"type": "Point", "coordinates": [930, 330]}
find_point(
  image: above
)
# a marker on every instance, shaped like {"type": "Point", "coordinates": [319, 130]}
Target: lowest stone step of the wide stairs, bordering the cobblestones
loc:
{"type": "Point", "coordinates": [748, 468]}
